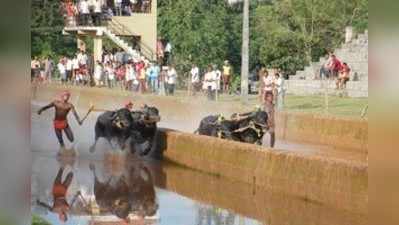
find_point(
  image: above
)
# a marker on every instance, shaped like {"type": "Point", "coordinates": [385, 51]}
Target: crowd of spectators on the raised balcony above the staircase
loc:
{"type": "Point", "coordinates": [93, 12]}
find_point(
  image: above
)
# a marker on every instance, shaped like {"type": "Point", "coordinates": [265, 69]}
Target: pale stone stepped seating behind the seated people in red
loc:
{"type": "Point", "coordinates": [355, 53]}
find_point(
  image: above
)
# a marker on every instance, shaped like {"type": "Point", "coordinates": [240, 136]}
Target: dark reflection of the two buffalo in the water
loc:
{"type": "Point", "coordinates": [130, 193]}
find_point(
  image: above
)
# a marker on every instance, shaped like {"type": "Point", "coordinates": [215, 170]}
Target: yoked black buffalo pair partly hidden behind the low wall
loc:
{"type": "Point", "coordinates": [248, 127]}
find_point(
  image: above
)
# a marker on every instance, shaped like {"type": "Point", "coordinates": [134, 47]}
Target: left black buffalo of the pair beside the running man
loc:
{"type": "Point", "coordinates": [113, 125]}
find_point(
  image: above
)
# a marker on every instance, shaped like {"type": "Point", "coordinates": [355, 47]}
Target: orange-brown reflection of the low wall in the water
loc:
{"type": "Point", "coordinates": [245, 199]}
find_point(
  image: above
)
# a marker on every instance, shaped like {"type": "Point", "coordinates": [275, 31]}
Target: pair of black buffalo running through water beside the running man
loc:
{"type": "Point", "coordinates": [133, 129]}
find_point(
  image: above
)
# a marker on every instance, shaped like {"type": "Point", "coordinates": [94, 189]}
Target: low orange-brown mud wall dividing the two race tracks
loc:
{"type": "Point", "coordinates": [337, 183]}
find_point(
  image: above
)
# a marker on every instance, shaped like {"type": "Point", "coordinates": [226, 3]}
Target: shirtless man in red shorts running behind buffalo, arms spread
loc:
{"type": "Point", "coordinates": [62, 108]}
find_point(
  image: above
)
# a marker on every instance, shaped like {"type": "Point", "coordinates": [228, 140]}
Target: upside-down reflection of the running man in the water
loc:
{"type": "Point", "coordinates": [60, 189]}
